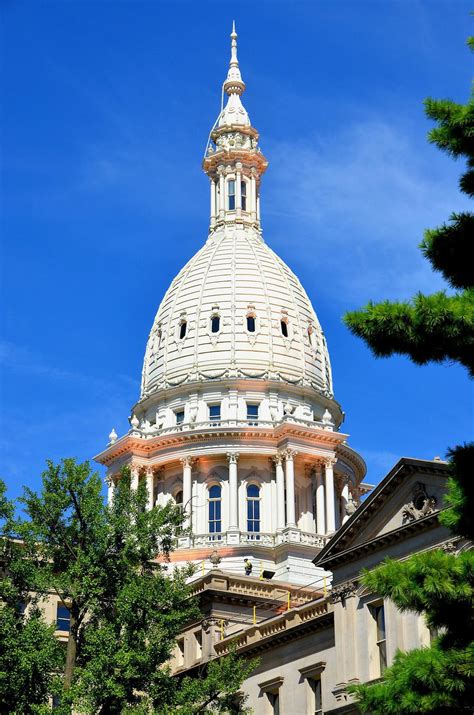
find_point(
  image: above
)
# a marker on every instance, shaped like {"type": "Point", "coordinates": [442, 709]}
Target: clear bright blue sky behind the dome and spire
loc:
{"type": "Point", "coordinates": [108, 106]}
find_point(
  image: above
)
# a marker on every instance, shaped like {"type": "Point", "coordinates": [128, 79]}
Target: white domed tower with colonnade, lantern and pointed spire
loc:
{"type": "Point", "coordinates": [237, 419]}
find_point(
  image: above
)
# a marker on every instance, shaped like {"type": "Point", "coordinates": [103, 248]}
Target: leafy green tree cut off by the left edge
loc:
{"type": "Point", "coordinates": [30, 655]}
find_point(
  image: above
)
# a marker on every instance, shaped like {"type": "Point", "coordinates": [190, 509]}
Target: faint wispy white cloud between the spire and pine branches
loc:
{"type": "Point", "coordinates": [358, 202]}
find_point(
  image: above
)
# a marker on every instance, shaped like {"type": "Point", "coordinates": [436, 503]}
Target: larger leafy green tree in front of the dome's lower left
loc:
{"type": "Point", "coordinates": [108, 566]}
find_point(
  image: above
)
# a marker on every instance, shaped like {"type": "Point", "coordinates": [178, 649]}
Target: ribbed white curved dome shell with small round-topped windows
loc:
{"type": "Point", "coordinates": [236, 276]}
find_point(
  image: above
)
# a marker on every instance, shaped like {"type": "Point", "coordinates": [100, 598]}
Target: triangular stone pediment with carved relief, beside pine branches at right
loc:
{"type": "Point", "coordinates": [411, 492]}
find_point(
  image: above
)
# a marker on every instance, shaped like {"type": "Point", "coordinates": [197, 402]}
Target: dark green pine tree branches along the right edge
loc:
{"type": "Point", "coordinates": [439, 327]}
